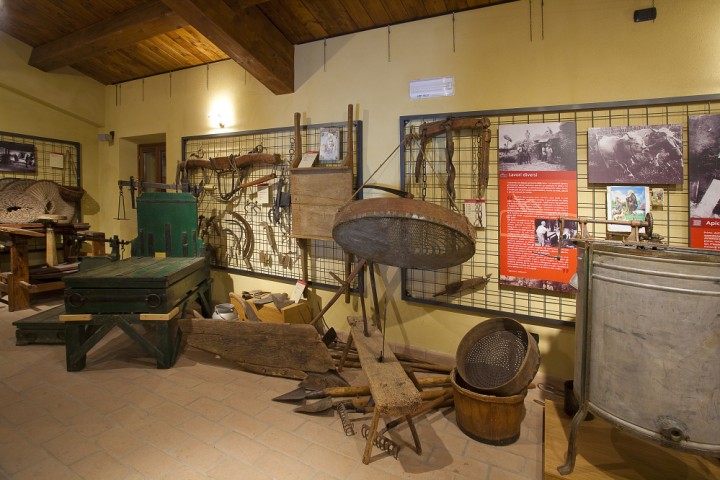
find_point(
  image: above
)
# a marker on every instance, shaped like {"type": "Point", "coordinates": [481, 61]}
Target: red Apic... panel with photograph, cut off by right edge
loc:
{"type": "Point", "coordinates": [704, 179]}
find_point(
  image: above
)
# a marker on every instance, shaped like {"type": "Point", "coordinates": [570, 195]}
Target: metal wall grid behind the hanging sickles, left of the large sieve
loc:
{"type": "Point", "coordinates": [268, 225]}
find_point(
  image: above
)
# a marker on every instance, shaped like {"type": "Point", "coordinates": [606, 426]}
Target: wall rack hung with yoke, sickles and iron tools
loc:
{"type": "Point", "coordinates": [244, 201]}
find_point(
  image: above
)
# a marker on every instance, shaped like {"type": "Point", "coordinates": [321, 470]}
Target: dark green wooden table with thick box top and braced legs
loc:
{"type": "Point", "coordinates": [144, 290]}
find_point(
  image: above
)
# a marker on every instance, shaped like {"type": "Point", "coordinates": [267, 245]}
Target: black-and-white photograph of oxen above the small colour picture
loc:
{"type": "Point", "coordinates": [650, 154]}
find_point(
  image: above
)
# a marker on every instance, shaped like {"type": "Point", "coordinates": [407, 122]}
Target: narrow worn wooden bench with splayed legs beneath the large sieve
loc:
{"type": "Point", "coordinates": [392, 390]}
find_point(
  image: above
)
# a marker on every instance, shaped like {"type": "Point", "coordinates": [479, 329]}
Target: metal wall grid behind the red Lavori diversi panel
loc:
{"type": "Point", "coordinates": [539, 306]}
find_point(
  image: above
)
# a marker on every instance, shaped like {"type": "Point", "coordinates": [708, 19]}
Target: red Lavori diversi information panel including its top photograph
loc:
{"type": "Point", "coordinates": [536, 189]}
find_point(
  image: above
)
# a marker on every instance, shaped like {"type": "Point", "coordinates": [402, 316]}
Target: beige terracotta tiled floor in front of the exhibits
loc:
{"type": "Point", "coordinates": [122, 418]}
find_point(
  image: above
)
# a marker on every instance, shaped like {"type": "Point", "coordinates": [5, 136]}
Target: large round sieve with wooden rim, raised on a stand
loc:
{"type": "Point", "coordinates": [404, 233]}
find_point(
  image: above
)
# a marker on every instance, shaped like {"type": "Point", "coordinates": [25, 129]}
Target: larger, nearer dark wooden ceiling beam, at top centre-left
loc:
{"type": "Point", "coordinates": [246, 36]}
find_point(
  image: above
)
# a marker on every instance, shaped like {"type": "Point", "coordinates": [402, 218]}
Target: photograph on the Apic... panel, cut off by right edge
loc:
{"type": "Point", "coordinates": [704, 168]}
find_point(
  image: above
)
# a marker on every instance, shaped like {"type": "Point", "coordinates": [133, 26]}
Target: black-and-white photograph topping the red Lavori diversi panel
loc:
{"type": "Point", "coordinates": [537, 146]}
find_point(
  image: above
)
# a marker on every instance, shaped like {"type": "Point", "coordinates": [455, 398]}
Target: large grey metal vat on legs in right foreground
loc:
{"type": "Point", "coordinates": [648, 344]}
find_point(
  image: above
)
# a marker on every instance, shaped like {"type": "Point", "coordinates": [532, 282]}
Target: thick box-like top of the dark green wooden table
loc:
{"type": "Point", "coordinates": [134, 285]}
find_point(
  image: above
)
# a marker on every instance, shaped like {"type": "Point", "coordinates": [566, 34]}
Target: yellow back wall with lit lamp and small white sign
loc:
{"type": "Point", "coordinates": [584, 51]}
